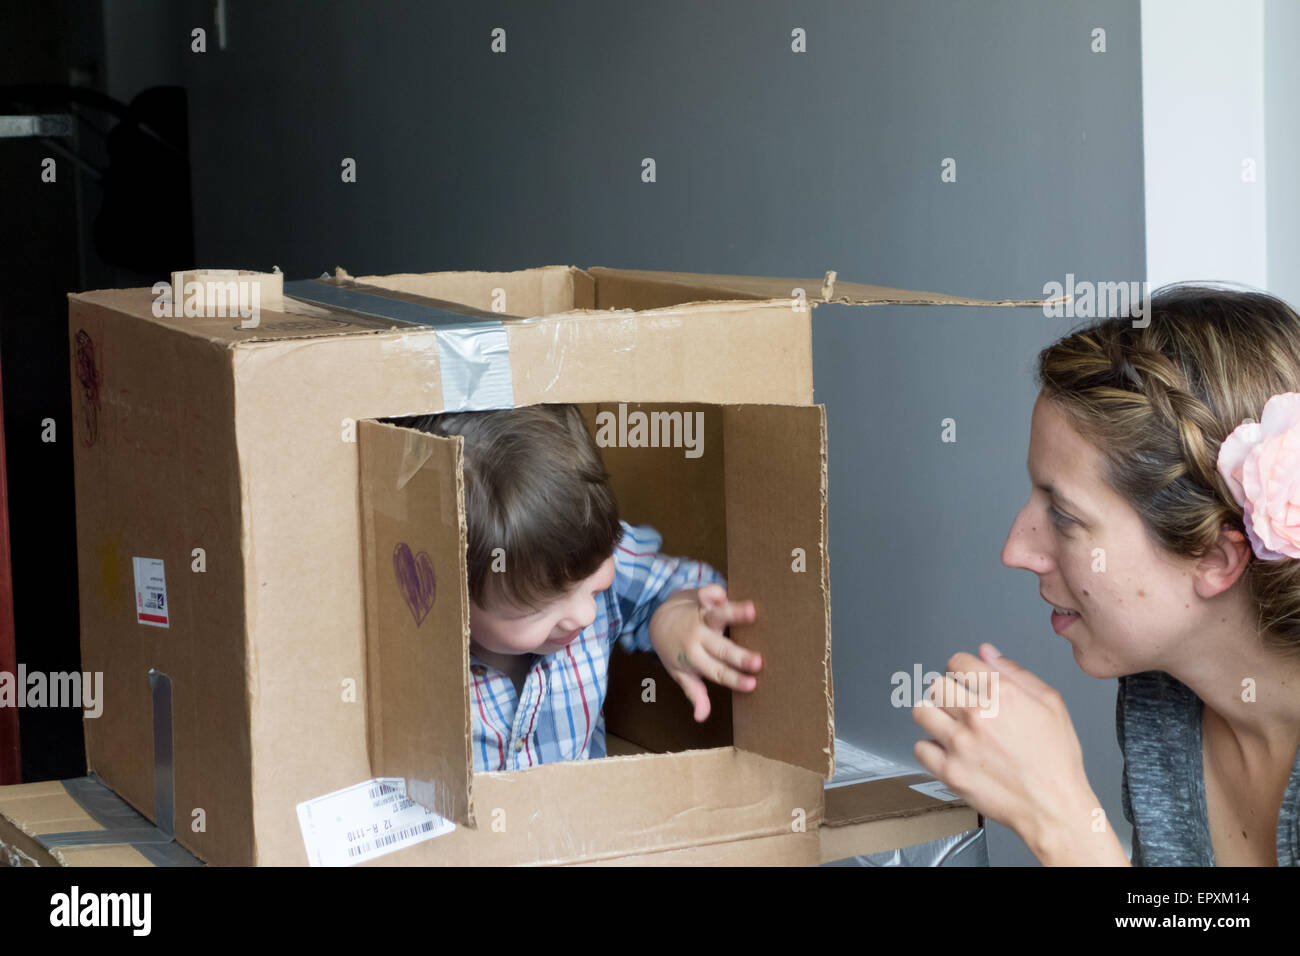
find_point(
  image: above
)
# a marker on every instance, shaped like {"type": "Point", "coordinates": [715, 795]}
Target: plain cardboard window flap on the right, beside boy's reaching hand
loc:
{"type": "Point", "coordinates": [777, 557]}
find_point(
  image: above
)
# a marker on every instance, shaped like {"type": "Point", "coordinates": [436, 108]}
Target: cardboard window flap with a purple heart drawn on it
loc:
{"type": "Point", "coordinates": [417, 615]}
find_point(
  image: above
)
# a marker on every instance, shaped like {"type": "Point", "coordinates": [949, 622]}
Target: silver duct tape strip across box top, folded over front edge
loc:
{"type": "Point", "coordinates": [474, 354]}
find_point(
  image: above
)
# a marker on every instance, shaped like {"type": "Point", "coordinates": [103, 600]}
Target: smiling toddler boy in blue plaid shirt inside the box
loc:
{"type": "Point", "coordinates": [569, 582]}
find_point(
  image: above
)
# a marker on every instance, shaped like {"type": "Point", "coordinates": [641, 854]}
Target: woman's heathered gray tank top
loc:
{"type": "Point", "coordinates": [1159, 726]}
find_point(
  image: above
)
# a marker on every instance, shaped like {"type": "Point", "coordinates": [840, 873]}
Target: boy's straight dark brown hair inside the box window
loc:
{"type": "Point", "coordinates": [536, 487]}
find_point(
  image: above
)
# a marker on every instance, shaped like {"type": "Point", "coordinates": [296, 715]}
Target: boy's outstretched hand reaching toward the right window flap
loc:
{"type": "Point", "coordinates": [687, 633]}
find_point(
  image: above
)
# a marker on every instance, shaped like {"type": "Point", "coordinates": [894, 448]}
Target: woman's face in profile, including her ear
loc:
{"type": "Point", "coordinates": [1137, 603]}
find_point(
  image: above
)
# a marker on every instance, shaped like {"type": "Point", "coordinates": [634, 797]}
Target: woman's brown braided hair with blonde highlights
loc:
{"type": "Point", "coordinates": [1159, 401]}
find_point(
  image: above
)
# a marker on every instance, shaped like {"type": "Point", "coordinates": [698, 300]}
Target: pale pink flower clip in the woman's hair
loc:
{"type": "Point", "coordinates": [1262, 465]}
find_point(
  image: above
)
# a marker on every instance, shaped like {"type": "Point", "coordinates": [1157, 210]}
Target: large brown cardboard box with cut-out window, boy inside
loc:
{"type": "Point", "coordinates": [220, 542]}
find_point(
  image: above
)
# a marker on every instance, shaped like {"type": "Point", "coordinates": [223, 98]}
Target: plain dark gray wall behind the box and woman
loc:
{"type": "Point", "coordinates": [769, 162]}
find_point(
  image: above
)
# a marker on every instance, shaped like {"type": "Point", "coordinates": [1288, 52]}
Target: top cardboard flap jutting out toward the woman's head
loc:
{"type": "Point", "coordinates": [829, 289]}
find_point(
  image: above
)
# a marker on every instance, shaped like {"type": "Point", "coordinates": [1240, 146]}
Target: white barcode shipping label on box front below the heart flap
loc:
{"type": "Point", "coordinates": [362, 823]}
